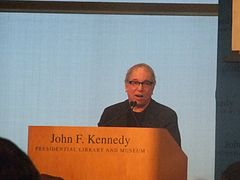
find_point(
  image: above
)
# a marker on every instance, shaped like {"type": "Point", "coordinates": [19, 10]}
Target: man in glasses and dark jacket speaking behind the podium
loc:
{"type": "Point", "coordinates": [140, 110]}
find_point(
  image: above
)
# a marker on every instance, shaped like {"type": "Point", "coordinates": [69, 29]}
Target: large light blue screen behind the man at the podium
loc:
{"type": "Point", "coordinates": [64, 69]}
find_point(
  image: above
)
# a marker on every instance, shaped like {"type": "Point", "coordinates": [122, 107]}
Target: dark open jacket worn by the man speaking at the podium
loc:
{"type": "Point", "coordinates": [156, 116]}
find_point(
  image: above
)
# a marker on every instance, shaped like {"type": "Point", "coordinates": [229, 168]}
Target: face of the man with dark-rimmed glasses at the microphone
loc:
{"type": "Point", "coordinates": [140, 86]}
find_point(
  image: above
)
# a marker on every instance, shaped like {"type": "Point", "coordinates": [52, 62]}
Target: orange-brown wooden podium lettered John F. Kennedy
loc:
{"type": "Point", "coordinates": [106, 153]}
